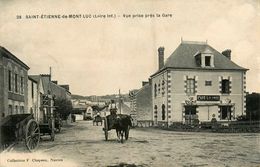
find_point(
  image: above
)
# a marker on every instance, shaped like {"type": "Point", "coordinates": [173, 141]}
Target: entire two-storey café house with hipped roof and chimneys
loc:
{"type": "Point", "coordinates": [197, 83]}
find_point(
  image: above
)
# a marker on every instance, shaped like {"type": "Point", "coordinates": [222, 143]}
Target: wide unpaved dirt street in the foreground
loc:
{"type": "Point", "coordinates": [83, 144]}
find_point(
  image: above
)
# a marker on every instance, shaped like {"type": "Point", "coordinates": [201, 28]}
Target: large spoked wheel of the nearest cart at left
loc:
{"type": "Point", "coordinates": [32, 135]}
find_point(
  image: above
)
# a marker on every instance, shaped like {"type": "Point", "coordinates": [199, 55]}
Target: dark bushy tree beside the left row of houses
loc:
{"type": "Point", "coordinates": [63, 107]}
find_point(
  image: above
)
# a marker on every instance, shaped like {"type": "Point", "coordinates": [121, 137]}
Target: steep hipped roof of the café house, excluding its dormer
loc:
{"type": "Point", "coordinates": [183, 58]}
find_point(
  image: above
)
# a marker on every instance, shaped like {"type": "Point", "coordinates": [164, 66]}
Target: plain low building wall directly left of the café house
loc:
{"type": "Point", "coordinates": [141, 105]}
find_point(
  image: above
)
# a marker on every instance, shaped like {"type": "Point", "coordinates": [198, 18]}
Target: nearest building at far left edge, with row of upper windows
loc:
{"type": "Point", "coordinates": [13, 84]}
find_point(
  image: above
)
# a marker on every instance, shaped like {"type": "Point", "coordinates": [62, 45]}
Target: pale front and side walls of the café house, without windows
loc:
{"type": "Point", "coordinates": [175, 95]}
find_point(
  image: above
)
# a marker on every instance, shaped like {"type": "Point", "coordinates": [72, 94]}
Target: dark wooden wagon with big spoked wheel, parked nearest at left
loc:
{"type": "Point", "coordinates": [20, 127]}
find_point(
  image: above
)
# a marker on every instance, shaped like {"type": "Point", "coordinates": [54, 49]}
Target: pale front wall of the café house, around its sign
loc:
{"type": "Point", "coordinates": [179, 96]}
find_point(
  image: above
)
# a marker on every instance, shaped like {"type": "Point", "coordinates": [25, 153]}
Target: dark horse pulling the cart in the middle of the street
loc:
{"type": "Point", "coordinates": [122, 125]}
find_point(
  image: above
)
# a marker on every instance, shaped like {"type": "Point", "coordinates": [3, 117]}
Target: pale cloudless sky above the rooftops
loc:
{"type": "Point", "coordinates": [98, 56]}
